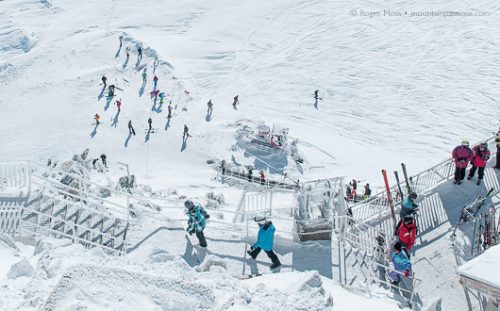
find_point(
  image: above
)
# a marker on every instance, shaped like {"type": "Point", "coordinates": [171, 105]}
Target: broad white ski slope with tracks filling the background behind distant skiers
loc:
{"type": "Point", "coordinates": [394, 89]}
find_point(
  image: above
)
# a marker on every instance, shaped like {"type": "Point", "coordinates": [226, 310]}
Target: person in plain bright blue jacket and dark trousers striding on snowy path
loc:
{"type": "Point", "coordinates": [265, 239]}
